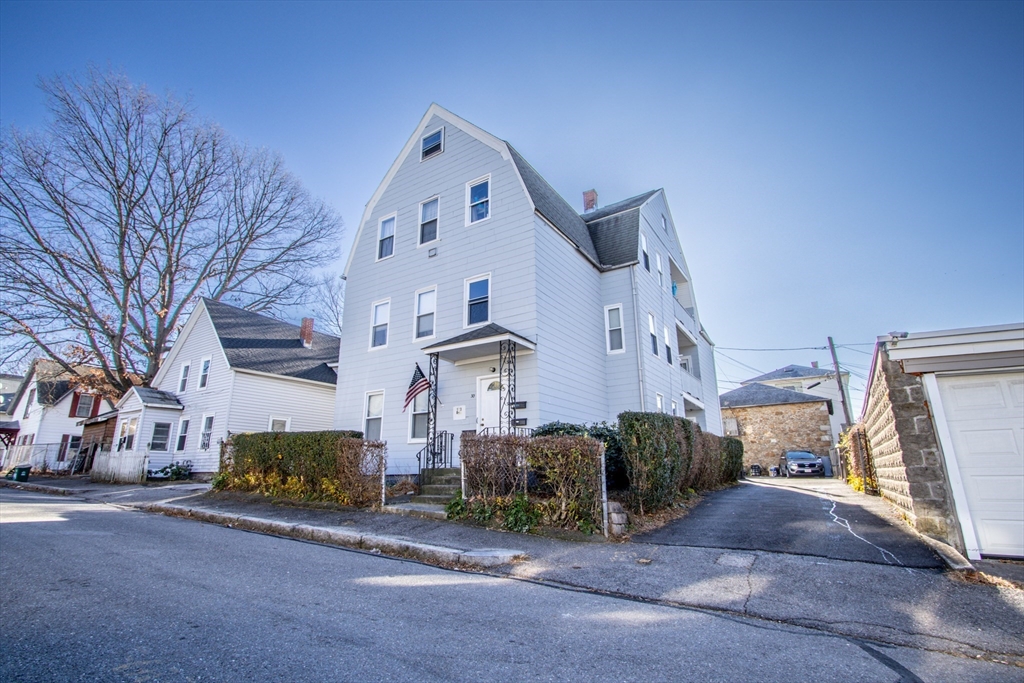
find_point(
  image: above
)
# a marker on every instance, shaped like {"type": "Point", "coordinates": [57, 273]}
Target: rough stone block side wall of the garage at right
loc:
{"type": "Point", "coordinates": [906, 451]}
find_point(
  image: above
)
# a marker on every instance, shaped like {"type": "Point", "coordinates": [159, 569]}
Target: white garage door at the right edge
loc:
{"type": "Point", "coordinates": [986, 414]}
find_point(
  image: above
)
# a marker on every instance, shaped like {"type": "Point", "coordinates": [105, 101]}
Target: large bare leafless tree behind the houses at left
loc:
{"type": "Point", "coordinates": [125, 210]}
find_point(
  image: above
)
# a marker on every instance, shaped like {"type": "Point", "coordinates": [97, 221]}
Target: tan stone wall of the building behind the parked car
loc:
{"type": "Point", "coordinates": [769, 432]}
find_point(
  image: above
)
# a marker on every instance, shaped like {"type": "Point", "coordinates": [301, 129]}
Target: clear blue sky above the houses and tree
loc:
{"type": "Point", "coordinates": [841, 169]}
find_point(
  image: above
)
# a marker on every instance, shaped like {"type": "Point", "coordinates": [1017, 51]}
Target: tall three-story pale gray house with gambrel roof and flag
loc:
{"type": "Point", "coordinates": [519, 310]}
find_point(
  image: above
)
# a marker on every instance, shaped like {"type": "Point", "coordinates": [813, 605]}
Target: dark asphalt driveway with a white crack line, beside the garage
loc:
{"type": "Point", "coordinates": [818, 518]}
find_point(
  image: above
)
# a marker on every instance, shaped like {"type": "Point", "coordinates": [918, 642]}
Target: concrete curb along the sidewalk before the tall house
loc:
{"type": "Point", "coordinates": [349, 539]}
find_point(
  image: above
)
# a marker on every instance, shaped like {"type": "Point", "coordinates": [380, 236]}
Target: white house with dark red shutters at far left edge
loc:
{"type": "Point", "coordinates": [46, 413]}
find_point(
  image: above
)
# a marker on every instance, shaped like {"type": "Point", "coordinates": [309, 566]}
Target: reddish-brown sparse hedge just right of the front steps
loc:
{"type": "Point", "coordinates": [519, 482]}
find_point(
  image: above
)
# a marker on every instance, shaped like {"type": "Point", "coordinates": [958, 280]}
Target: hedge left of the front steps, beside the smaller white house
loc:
{"type": "Point", "coordinates": [335, 466]}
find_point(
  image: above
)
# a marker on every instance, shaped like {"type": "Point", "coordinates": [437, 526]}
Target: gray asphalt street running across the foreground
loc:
{"type": "Point", "coordinates": [96, 592]}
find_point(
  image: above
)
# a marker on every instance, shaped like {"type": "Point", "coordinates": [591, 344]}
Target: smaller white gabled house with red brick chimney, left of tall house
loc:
{"type": "Point", "coordinates": [230, 371]}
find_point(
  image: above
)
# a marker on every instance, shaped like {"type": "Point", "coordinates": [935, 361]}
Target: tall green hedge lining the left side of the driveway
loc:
{"type": "Point", "coordinates": [665, 456]}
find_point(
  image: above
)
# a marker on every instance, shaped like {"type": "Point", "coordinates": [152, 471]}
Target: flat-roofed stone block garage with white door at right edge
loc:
{"type": "Point", "coordinates": [959, 393]}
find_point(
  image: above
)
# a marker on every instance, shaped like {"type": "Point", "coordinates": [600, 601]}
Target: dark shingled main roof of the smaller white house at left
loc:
{"type": "Point", "coordinates": [255, 343]}
